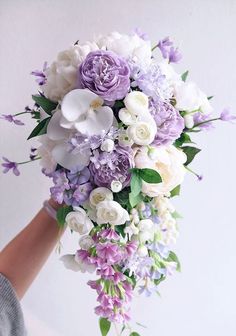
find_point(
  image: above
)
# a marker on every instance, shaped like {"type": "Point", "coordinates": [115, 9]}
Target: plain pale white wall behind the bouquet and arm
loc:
{"type": "Point", "coordinates": [201, 300]}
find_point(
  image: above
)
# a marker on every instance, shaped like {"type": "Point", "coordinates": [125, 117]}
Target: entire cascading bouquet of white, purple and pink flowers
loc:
{"type": "Point", "coordinates": [114, 122]}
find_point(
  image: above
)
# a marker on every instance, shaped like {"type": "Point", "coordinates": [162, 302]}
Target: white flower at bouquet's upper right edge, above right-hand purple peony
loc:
{"type": "Point", "coordinates": [190, 98]}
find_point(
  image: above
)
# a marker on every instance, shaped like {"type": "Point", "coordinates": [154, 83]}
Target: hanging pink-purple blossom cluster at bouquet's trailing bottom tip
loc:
{"type": "Point", "coordinates": [114, 289]}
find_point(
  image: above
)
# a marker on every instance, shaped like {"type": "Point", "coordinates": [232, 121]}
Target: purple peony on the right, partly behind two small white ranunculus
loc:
{"type": "Point", "coordinates": [169, 123]}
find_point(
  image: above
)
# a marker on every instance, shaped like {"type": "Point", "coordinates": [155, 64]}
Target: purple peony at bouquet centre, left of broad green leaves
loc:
{"type": "Point", "coordinates": [106, 167]}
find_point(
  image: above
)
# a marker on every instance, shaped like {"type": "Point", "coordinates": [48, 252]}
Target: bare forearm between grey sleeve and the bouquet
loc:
{"type": "Point", "coordinates": [22, 258]}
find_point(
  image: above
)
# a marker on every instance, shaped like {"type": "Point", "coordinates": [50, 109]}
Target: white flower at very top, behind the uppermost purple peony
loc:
{"type": "Point", "coordinates": [131, 47]}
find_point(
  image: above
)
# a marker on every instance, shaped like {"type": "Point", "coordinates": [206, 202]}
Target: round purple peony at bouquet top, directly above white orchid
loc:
{"type": "Point", "coordinates": [106, 74]}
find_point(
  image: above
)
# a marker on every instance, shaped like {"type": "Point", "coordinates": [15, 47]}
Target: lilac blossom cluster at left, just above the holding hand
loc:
{"type": "Point", "coordinates": [72, 188]}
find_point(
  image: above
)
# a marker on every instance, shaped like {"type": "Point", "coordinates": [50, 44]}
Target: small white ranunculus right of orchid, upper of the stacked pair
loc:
{"type": "Point", "coordinates": [136, 102]}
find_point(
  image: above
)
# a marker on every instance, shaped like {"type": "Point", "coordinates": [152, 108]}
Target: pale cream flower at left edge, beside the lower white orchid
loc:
{"type": "Point", "coordinates": [47, 161]}
